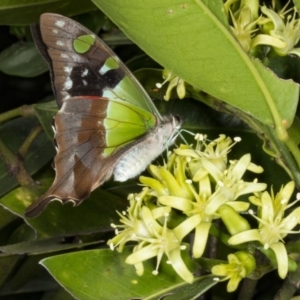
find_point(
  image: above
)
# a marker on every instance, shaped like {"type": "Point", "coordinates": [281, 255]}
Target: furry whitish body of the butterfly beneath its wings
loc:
{"type": "Point", "coordinates": [146, 149]}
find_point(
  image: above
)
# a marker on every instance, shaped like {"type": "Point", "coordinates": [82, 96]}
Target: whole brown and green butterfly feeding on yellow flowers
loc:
{"type": "Point", "coordinates": [106, 124]}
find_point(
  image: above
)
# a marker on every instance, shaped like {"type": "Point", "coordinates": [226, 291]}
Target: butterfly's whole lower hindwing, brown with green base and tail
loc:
{"type": "Point", "coordinates": [89, 142]}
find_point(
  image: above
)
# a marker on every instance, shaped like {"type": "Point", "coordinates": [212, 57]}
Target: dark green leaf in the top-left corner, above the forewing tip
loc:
{"type": "Point", "coordinates": [25, 12]}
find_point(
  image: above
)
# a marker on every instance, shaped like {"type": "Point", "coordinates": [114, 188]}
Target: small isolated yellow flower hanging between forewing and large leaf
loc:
{"type": "Point", "coordinates": [175, 81]}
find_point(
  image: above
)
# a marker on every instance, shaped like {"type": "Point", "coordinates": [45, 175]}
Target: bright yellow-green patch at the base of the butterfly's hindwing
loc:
{"type": "Point", "coordinates": [124, 123]}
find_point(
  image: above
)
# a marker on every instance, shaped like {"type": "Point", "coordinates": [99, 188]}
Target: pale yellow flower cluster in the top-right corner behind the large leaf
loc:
{"type": "Point", "coordinates": [279, 30]}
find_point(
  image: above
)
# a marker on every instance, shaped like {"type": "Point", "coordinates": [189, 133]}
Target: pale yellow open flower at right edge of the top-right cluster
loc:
{"type": "Point", "coordinates": [281, 34]}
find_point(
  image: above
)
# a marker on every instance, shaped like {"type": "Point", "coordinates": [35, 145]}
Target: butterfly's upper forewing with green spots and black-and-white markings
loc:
{"type": "Point", "coordinates": [93, 70]}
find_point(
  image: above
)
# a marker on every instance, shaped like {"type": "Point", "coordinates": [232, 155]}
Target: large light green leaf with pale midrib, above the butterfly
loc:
{"type": "Point", "coordinates": [198, 46]}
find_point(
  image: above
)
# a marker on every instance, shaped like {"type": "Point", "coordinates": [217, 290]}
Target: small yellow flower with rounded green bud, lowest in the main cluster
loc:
{"type": "Point", "coordinates": [240, 265]}
